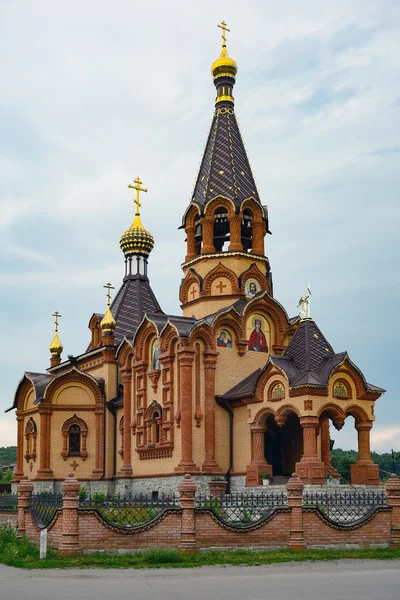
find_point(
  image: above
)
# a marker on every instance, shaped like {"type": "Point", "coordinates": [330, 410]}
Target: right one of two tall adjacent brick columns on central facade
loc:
{"type": "Point", "coordinates": [210, 361]}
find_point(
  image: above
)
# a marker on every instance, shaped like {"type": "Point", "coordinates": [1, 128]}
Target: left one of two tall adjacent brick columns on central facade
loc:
{"type": "Point", "coordinates": [186, 359]}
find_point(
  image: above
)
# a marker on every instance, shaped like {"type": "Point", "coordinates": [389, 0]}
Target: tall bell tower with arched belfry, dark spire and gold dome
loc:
{"type": "Point", "coordinates": [225, 222]}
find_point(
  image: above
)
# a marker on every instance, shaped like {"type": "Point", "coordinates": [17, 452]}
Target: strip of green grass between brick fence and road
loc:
{"type": "Point", "coordinates": [21, 553]}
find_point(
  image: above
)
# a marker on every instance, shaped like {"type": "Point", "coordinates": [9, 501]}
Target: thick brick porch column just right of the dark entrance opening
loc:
{"type": "Point", "coordinates": [310, 469]}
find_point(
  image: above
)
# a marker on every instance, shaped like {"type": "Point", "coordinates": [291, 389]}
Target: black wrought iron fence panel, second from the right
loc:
{"type": "Point", "coordinates": [243, 510]}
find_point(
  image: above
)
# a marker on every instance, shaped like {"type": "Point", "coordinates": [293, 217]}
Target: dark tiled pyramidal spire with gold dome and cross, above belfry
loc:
{"type": "Point", "coordinates": [225, 169]}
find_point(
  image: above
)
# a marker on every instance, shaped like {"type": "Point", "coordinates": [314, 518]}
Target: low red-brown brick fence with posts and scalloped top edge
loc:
{"type": "Point", "coordinates": [74, 530]}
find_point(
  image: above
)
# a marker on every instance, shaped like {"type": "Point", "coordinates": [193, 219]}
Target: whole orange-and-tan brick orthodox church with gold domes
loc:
{"type": "Point", "coordinates": [232, 387]}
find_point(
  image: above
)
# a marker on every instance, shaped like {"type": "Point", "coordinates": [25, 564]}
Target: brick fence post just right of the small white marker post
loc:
{"type": "Point", "coordinates": [70, 523]}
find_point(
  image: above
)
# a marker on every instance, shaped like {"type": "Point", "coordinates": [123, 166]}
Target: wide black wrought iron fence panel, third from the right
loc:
{"type": "Point", "coordinates": [128, 512]}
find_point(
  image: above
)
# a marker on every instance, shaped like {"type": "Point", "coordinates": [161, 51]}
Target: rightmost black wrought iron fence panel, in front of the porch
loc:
{"type": "Point", "coordinates": [346, 508]}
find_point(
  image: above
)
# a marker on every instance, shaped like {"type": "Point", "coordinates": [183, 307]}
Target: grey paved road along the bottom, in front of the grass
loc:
{"type": "Point", "coordinates": [339, 580]}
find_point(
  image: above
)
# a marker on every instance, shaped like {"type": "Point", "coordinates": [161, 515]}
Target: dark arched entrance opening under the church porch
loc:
{"type": "Point", "coordinates": [283, 446]}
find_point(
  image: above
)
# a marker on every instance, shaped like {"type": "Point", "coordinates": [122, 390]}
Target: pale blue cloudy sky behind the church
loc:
{"type": "Point", "coordinates": [93, 94]}
